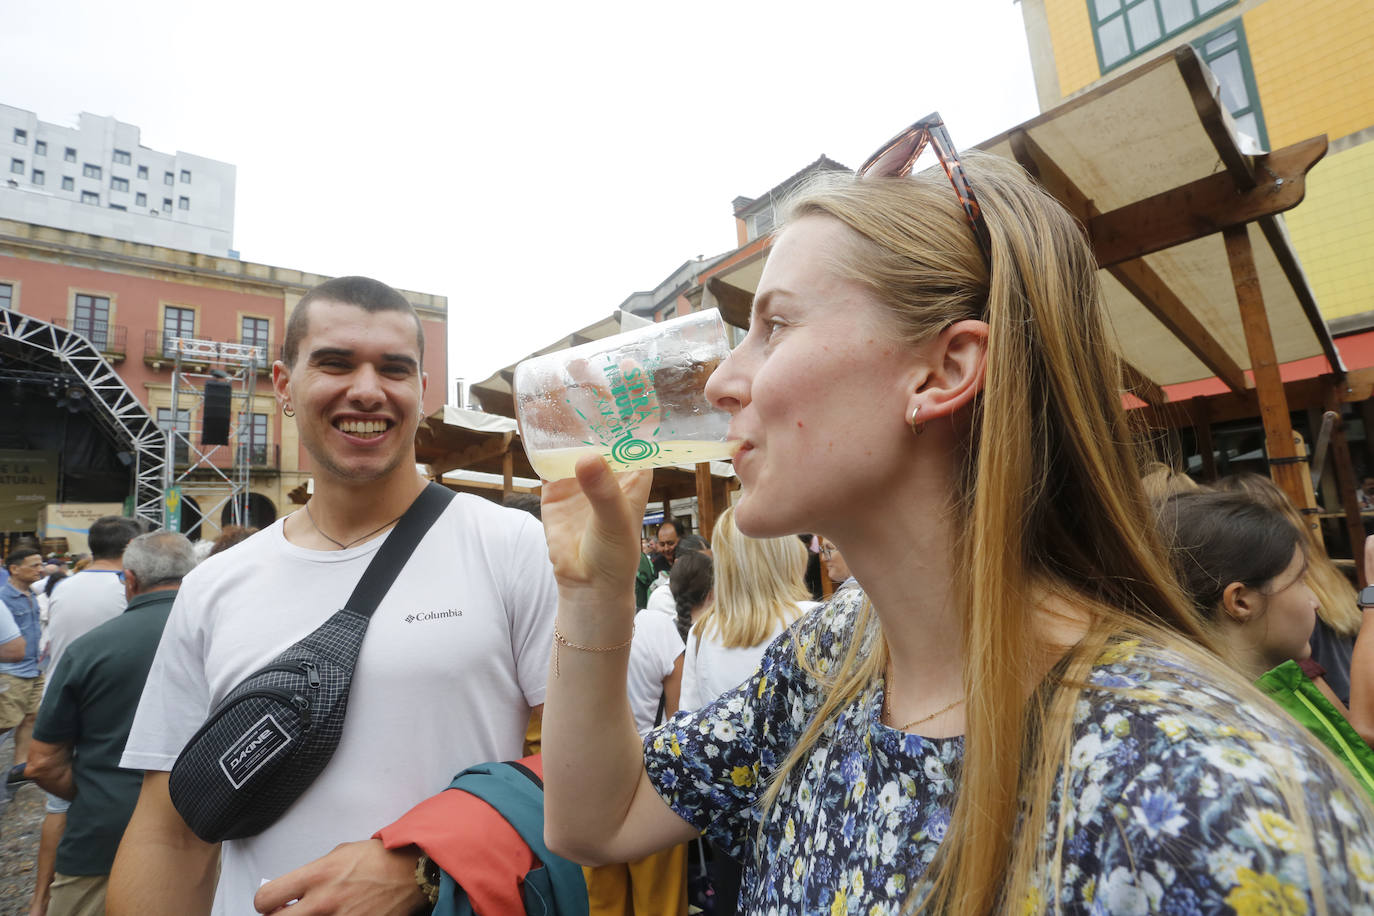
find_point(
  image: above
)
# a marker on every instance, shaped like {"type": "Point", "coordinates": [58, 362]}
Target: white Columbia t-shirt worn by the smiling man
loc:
{"type": "Point", "coordinates": [455, 657]}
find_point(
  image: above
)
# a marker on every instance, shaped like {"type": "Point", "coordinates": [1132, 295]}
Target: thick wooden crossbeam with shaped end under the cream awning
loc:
{"type": "Point", "coordinates": [1206, 207]}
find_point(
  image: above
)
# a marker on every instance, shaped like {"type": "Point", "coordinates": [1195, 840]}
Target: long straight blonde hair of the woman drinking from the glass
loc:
{"type": "Point", "coordinates": [1049, 505]}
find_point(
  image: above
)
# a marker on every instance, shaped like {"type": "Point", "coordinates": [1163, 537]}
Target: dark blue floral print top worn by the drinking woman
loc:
{"type": "Point", "coordinates": [1173, 801]}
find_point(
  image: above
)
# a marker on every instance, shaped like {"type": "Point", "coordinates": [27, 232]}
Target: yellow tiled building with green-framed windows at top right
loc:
{"type": "Point", "coordinates": [1289, 71]}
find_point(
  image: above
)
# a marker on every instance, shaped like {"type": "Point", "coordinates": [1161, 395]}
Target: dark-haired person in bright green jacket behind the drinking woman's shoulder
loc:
{"type": "Point", "coordinates": [1244, 566]}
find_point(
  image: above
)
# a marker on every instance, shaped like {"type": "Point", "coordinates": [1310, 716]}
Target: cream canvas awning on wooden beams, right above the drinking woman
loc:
{"type": "Point", "coordinates": [1155, 168]}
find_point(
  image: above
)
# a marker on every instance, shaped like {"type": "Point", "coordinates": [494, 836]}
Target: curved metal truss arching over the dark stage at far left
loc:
{"type": "Point", "coordinates": [116, 409]}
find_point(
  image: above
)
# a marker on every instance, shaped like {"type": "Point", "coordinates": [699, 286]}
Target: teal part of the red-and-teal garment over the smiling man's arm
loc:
{"type": "Point", "coordinates": [553, 888]}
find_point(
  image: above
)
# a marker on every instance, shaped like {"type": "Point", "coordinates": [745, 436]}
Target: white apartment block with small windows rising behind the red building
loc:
{"type": "Point", "coordinates": [97, 178]}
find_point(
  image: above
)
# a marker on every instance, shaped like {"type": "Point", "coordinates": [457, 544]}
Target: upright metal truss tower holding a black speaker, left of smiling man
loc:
{"type": "Point", "coordinates": [196, 363]}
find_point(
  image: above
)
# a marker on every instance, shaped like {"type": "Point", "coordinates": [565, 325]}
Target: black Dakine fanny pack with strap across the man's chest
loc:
{"type": "Point", "coordinates": [275, 733]}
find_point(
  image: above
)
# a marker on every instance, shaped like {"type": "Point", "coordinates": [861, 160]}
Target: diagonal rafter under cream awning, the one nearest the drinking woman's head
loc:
{"type": "Point", "coordinates": [1137, 277]}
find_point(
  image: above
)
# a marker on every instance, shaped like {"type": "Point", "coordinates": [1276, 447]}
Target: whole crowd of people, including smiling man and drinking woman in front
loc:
{"type": "Point", "coordinates": [1035, 687]}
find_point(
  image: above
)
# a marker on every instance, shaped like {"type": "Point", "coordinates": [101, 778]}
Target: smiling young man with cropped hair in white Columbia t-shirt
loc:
{"type": "Point", "coordinates": [454, 661]}
